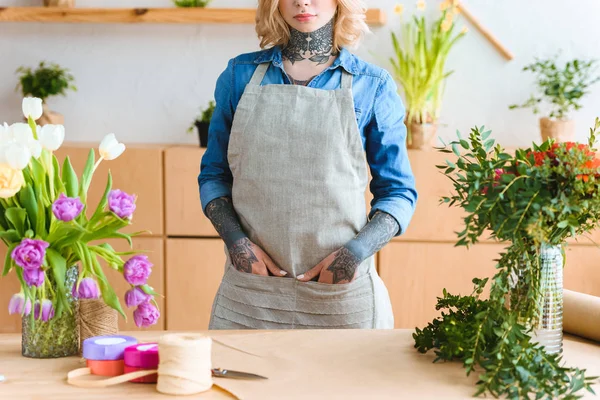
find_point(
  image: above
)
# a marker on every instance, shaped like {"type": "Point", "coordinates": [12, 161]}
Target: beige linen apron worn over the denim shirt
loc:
{"type": "Point", "coordinates": [299, 178]}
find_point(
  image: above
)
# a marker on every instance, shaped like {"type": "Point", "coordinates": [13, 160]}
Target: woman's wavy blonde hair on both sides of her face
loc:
{"type": "Point", "coordinates": [349, 28]}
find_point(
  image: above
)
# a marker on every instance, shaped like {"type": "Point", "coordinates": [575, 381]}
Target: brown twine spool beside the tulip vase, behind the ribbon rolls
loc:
{"type": "Point", "coordinates": [96, 319]}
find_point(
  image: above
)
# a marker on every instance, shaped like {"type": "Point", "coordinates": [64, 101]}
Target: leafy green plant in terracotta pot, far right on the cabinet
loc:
{"type": "Point", "coordinates": [562, 89]}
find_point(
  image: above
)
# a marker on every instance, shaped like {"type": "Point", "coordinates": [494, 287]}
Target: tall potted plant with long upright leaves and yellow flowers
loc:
{"type": "Point", "coordinates": [418, 66]}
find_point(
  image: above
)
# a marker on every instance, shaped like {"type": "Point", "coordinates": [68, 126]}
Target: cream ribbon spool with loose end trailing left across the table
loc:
{"type": "Point", "coordinates": [184, 367]}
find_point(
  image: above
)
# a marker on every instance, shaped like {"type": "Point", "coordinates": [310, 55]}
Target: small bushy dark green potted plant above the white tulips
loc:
{"type": "Point", "coordinates": [44, 82]}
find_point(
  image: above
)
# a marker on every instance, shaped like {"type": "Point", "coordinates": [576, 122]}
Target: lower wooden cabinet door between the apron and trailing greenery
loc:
{"type": "Point", "coordinates": [416, 273]}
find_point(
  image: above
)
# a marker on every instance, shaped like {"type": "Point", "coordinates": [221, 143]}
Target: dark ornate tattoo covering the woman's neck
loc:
{"type": "Point", "coordinates": [315, 46]}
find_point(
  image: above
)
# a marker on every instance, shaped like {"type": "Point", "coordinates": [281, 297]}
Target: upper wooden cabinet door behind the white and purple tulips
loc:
{"type": "Point", "coordinates": [139, 171]}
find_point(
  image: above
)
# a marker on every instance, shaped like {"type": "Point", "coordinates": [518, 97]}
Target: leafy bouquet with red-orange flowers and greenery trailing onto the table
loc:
{"type": "Point", "coordinates": [534, 198]}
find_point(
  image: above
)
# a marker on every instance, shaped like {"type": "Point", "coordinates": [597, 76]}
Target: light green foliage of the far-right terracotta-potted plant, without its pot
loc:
{"type": "Point", "coordinates": [562, 88]}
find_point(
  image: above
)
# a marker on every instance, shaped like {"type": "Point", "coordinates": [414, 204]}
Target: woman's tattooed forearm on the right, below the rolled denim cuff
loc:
{"type": "Point", "coordinates": [376, 234]}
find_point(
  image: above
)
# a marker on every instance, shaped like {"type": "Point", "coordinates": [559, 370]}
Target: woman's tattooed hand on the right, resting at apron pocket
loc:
{"type": "Point", "coordinates": [338, 267]}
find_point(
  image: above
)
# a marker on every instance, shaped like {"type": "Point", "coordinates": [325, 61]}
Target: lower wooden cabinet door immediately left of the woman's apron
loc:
{"type": "Point", "coordinates": [196, 267]}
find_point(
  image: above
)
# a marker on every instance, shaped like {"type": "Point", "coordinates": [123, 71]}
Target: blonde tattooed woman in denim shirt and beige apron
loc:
{"type": "Point", "coordinates": [295, 128]}
